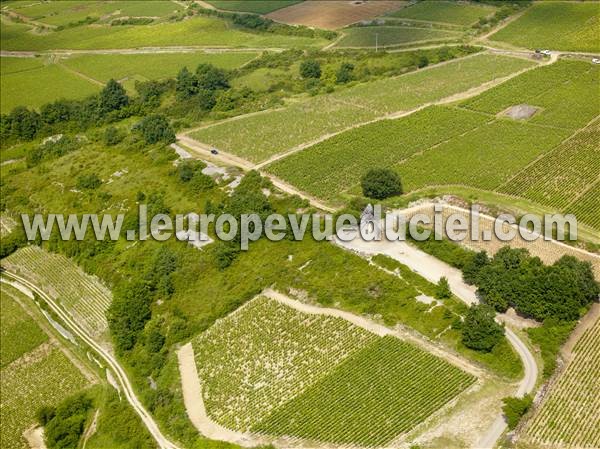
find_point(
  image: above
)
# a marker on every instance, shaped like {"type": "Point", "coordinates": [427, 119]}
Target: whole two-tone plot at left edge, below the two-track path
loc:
{"type": "Point", "coordinates": [42, 375]}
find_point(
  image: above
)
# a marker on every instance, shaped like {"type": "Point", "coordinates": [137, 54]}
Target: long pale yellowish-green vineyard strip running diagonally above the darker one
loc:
{"type": "Point", "coordinates": [259, 136]}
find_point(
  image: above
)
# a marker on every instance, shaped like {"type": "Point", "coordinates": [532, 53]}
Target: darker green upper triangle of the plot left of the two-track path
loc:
{"type": "Point", "coordinates": [20, 333]}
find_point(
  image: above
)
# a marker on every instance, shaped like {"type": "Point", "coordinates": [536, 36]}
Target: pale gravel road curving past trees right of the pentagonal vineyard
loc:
{"type": "Point", "coordinates": [433, 269]}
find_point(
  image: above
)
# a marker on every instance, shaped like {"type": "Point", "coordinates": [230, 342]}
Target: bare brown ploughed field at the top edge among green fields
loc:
{"type": "Point", "coordinates": [333, 14]}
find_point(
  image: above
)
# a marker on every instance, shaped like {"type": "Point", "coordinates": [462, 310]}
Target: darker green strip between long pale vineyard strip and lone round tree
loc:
{"type": "Point", "coordinates": [380, 144]}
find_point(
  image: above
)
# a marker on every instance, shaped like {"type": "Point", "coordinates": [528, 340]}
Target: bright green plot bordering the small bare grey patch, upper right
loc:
{"type": "Point", "coordinates": [561, 91]}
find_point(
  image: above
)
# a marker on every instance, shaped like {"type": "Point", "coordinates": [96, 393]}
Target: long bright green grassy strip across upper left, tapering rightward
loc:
{"type": "Point", "coordinates": [198, 31]}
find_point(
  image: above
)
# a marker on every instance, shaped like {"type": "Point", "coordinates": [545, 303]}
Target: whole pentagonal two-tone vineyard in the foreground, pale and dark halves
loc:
{"type": "Point", "coordinates": [272, 369]}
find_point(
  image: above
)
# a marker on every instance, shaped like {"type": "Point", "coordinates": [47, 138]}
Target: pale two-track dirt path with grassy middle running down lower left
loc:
{"type": "Point", "coordinates": [113, 364]}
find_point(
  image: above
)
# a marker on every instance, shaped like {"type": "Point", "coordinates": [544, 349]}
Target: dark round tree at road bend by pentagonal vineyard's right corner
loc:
{"type": "Point", "coordinates": [480, 330]}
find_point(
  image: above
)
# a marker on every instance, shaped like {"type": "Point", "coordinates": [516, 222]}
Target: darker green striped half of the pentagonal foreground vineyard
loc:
{"type": "Point", "coordinates": [384, 390]}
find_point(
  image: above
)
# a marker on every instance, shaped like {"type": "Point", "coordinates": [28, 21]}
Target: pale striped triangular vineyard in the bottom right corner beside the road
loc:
{"type": "Point", "coordinates": [569, 417]}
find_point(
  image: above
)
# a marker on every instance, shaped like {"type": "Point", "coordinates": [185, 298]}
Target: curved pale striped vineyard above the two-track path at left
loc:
{"type": "Point", "coordinates": [83, 296]}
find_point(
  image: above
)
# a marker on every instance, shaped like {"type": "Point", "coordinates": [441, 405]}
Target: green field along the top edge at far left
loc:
{"type": "Point", "coordinates": [65, 12]}
